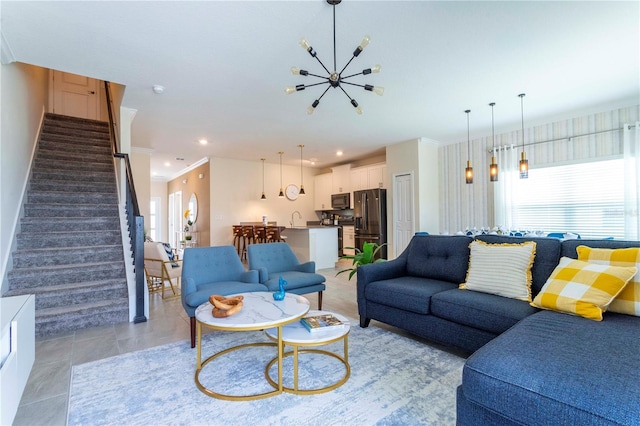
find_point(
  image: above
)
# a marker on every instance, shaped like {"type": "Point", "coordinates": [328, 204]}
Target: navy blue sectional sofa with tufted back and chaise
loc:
{"type": "Point", "coordinates": [527, 366]}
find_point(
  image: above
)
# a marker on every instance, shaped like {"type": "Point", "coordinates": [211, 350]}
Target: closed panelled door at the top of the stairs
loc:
{"type": "Point", "coordinates": [75, 95]}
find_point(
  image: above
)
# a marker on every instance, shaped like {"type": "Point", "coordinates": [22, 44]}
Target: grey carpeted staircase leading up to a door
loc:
{"type": "Point", "coordinates": [69, 248]}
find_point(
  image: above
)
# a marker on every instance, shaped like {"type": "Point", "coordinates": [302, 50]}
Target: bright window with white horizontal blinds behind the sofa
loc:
{"type": "Point", "coordinates": [585, 199]}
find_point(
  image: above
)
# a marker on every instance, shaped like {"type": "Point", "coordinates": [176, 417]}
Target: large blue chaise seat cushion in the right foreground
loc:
{"type": "Point", "coordinates": [558, 369]}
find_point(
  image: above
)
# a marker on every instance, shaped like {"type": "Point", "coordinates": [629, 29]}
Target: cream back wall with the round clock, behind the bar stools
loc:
{"type": "Point", "coordinates": [236, 187]}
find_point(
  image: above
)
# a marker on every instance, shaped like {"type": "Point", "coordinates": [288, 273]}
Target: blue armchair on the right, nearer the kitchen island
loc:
{"type": "Point", "coordinates": [275, 260]}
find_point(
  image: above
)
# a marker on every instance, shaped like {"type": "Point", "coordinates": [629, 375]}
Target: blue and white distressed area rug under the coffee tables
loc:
{"type": "Point", "coordinates": [394, 381]}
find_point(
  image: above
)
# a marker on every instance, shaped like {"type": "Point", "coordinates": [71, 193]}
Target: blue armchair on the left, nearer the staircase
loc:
{"type": "Point", "coordinates": [213, 270]}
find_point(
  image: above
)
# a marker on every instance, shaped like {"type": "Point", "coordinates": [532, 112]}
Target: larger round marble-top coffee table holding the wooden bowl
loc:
{"type": "Point", "coordinates": [259, 311]}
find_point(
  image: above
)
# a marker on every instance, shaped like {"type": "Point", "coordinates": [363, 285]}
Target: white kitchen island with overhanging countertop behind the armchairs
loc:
{"type": "Point", "coordinates": [317, 243]}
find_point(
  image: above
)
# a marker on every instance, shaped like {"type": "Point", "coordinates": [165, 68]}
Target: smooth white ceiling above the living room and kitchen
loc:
{"type": "Point", "coordinates": [225, 64]}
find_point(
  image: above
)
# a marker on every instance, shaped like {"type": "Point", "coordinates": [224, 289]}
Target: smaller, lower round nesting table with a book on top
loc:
{"type": "Point", "coordinates": [297, 336]}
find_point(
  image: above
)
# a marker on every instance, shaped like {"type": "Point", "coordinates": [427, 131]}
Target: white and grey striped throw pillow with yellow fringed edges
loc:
{"type": "Point", "coordinates": [501, 269]}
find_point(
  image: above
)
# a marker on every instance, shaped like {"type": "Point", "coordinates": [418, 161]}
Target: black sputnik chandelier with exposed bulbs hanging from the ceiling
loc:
{"type": "Point", "coordinates": [334, 79]}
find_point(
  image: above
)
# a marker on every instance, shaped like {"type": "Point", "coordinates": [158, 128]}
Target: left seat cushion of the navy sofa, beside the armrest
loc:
{"type": "Point", "coordinates": [407, 293]}
